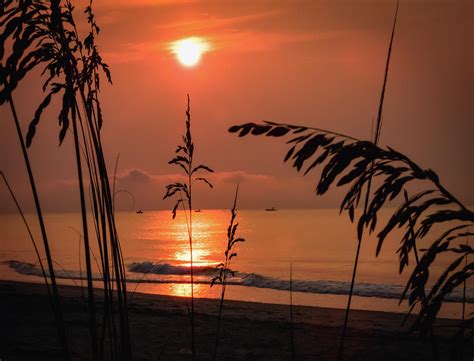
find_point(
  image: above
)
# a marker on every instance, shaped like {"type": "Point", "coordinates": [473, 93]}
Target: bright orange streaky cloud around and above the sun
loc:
{"type": "Point", "coordinates": [248, 32]}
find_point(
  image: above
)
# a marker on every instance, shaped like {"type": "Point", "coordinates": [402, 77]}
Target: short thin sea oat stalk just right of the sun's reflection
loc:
{"type": "Point", "coordinates": [223, 268]}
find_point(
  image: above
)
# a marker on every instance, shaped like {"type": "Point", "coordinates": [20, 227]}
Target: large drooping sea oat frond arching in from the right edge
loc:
{"type": "Point", "coordinates": [345, 161]}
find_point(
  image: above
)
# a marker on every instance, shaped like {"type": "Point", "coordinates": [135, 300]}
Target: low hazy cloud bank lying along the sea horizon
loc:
{"type": "Point", "coordinates": [257, 191]}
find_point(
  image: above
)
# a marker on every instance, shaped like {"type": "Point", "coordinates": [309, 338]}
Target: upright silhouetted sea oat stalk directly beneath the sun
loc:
{"type": "Point", "coordinates": [183, 192]}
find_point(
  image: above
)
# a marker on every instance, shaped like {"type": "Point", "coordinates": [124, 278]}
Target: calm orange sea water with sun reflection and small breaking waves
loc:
{"type": "Point", "coordinates": [319, 243]}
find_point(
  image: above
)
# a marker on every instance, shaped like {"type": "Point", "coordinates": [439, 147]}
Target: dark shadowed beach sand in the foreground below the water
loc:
{"type": "Point", "coordinates": [251, 331]}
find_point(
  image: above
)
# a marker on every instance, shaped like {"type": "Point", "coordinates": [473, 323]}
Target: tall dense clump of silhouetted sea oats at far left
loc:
{"type": "Point", "coordinates": [43, 35]}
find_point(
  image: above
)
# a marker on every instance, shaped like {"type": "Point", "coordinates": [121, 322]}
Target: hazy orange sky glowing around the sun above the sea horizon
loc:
{"type": "Point", "coordinates": [315, 63]}
